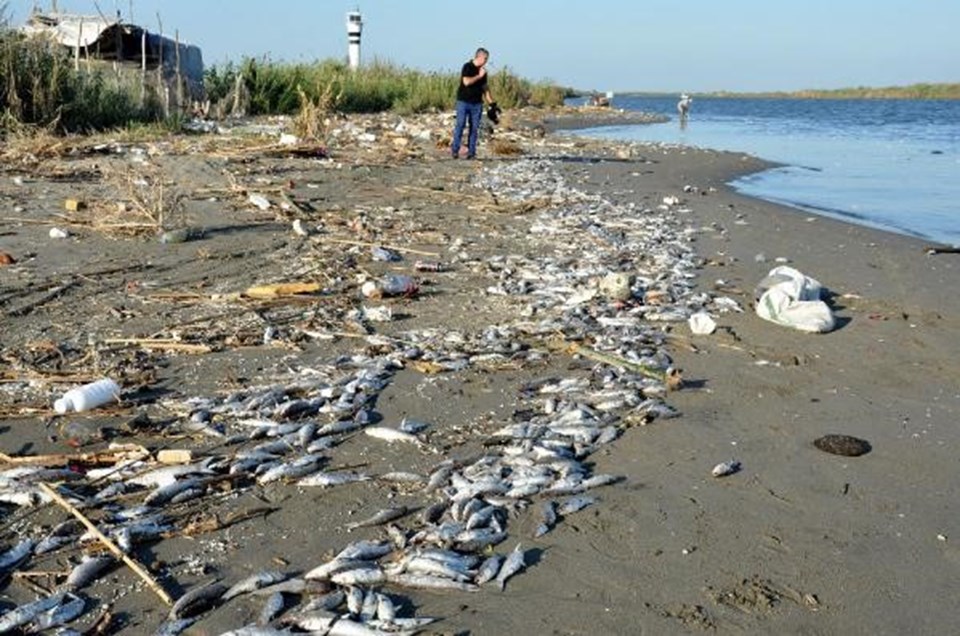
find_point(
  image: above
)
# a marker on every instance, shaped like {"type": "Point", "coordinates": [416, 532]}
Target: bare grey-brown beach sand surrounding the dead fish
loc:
{"type": "Point", "coordinates": [799, 541]}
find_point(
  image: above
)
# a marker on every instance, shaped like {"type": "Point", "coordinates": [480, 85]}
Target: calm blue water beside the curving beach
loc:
{"type": "Point", "coordinates": [890, 164]}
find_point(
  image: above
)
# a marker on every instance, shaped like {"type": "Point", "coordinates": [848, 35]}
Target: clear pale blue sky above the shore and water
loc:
{"type": "Point", "coordinates": [669, 45]}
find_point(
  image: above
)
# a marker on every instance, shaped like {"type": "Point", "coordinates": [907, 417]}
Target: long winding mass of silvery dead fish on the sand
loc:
{"type": "Point", "coordinates": [448, 536]}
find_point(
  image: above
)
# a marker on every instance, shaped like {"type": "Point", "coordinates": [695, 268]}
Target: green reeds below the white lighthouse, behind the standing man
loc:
{"type": "Point", "coordinates": [271, 88]}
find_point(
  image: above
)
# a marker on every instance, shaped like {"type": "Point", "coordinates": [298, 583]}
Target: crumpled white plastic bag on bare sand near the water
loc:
{"type": "Point", "coordinates": [788, 297]}
